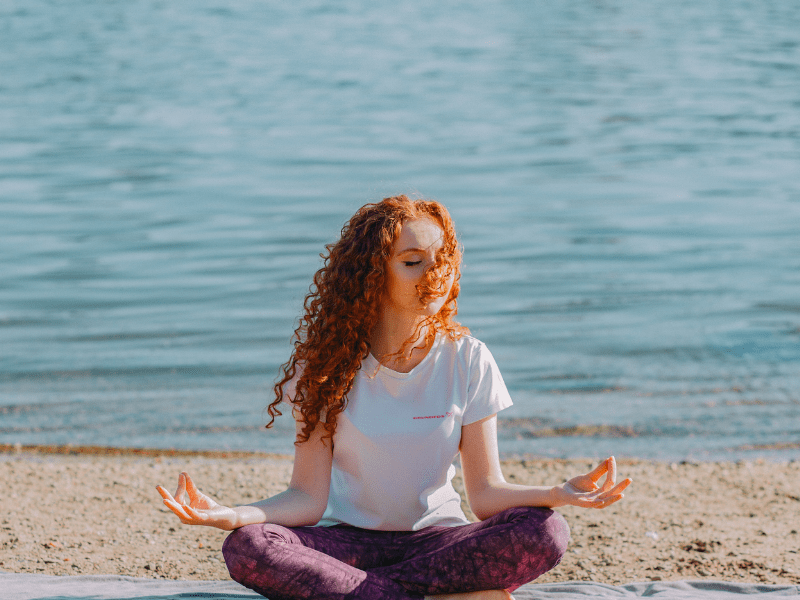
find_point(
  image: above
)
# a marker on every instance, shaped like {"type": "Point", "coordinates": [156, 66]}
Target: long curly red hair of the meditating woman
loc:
{"type": "Point", "coordinates": [342, 307]}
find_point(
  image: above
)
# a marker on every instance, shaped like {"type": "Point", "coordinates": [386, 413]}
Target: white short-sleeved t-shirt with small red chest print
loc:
{"type": "Point", "coordinates": [396, 440]}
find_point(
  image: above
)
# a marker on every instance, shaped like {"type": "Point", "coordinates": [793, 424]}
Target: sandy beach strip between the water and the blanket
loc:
{"type": "Point", "coordinates": [70, 511]}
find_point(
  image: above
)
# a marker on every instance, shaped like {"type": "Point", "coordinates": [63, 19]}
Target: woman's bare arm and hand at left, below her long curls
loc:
{"type": "Point", "coordinates": [302, 503]}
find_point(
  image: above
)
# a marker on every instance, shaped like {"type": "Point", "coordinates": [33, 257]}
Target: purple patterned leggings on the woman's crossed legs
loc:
{"type": "Point", "coordinates": [343, 562]}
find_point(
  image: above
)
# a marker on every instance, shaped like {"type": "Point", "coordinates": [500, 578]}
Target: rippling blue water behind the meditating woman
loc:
{"type": "Point", "coordinates": [624, 178]}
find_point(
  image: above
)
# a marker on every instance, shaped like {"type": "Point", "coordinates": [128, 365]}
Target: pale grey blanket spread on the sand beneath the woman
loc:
{"type": "Point", "coordinates": [23, 586]}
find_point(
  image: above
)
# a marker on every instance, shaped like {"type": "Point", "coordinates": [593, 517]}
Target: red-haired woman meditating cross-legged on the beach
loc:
{"type": "Point", "coordinates": [386, 389]}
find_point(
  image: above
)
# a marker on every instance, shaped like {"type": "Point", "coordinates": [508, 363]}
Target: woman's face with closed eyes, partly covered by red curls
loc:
{"type": "Point", "coordinates": [413, 252]}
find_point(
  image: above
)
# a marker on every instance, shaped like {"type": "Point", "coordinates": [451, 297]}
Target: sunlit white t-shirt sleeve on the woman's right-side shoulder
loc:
{"type": "Point", "coordinates": [487, 392]}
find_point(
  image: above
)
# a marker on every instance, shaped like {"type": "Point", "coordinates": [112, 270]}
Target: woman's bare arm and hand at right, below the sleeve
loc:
{"type": "Point", "coordinates": [488, 493]}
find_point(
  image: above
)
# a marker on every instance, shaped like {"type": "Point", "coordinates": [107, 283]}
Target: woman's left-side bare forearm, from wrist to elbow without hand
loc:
{"type": "Point", "coordinates": [291, 508]}
